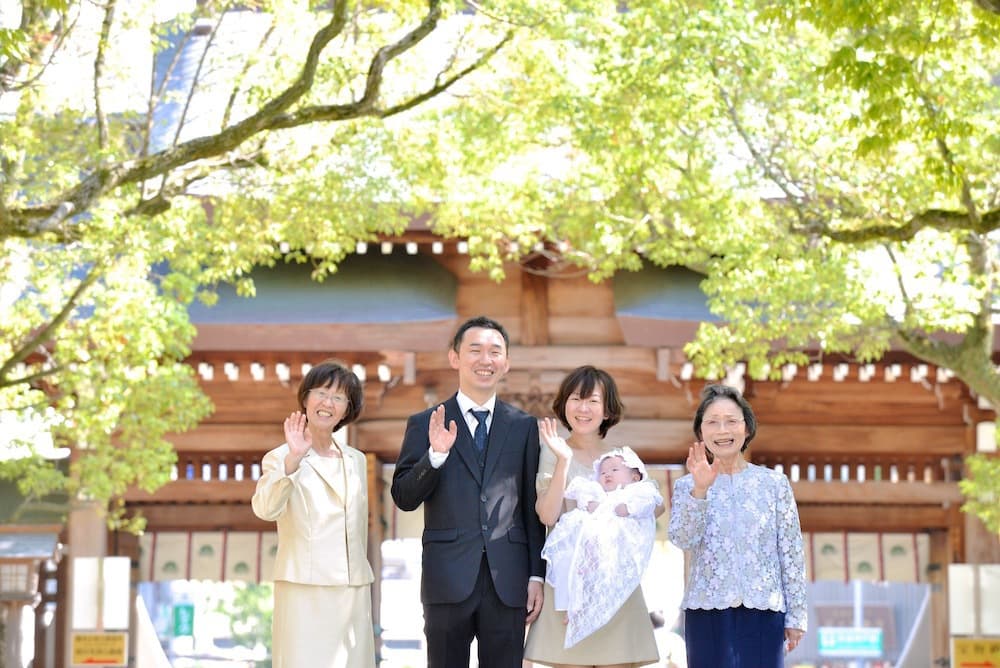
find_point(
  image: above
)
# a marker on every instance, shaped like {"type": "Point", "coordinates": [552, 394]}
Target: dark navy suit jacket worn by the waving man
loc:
{"type": "Point", "coordinates": [470, 507]}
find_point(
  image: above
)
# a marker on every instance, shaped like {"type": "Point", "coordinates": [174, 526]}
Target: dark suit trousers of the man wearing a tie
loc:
{"type": "Point", "coordinates": [498, 628]}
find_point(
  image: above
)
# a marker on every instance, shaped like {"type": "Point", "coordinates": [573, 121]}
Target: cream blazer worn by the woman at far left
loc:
{"type": "Point", "coordinates": [322, 518]}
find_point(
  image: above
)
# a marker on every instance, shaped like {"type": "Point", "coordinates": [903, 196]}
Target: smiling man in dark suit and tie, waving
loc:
{"type": "Point", "coordinates": [471, 462]}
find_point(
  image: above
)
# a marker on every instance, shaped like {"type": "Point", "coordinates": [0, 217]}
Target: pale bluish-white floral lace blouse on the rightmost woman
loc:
{"type": "Point", "coordinates": [744, 543]}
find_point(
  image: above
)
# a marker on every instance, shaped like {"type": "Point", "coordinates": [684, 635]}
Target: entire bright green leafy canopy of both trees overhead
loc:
{"type": "Point", "coordinates": [828, 166]}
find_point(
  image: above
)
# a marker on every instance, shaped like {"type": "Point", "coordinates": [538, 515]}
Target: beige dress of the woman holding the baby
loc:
{"type": "Point", "coordinates": [627, 638]}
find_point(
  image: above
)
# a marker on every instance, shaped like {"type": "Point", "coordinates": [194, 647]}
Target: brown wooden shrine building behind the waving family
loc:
{"type": "Point", "coordinates": [874, 449]}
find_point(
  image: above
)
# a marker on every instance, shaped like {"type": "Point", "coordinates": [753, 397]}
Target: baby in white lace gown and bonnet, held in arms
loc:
{"type": "Point", "coordinates": [597, 552]}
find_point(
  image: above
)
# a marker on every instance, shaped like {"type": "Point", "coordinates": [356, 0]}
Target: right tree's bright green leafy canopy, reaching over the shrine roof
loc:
{"type": "Point", "coordinates": [829, 167]}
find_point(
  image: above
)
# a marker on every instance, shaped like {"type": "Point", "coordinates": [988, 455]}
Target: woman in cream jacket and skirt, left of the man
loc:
{"type": "Point", "coordinates": [316, 491]}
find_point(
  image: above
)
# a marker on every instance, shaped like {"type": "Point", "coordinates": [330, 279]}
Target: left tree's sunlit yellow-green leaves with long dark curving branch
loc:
{"type": "Point", "coordinates": [150, 155]}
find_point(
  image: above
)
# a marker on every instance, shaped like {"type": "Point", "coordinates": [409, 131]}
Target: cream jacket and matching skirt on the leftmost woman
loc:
{"type": "Point", "coordinates": [322, 581]}
